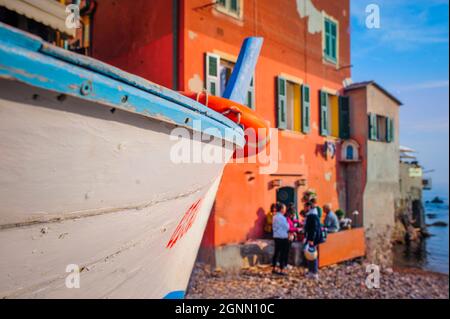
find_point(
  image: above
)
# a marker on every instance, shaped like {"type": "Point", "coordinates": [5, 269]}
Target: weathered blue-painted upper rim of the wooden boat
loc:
{"type": "Point", "coordinates": [21, 59]}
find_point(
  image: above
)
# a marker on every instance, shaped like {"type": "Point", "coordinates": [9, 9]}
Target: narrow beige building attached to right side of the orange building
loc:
{"type": "Point", "coordinates": [372, 177]}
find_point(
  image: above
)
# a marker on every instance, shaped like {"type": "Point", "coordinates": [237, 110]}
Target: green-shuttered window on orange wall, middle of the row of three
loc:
{"type": "Point", "coordinates": [292, 103]}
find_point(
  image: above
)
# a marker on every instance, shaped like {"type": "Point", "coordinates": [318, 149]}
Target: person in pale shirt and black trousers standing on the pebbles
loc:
{"type": "Point", "coordinates": [280, 235]}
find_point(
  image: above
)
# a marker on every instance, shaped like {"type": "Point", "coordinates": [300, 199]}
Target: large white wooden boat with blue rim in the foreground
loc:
{"type": "Point", "coordinates": [92, 204]}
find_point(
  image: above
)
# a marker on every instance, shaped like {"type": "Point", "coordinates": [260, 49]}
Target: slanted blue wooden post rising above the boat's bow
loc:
{"type": "Point", "coordinates": [243, 71]}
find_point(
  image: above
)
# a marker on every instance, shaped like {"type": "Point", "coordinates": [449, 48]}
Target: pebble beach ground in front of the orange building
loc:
{"type": "Point", "coordinates": [343, 281]}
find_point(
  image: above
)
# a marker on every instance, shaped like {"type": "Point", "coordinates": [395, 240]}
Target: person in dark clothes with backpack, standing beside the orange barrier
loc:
{"type": "Point", "coordinates": [313, 233]}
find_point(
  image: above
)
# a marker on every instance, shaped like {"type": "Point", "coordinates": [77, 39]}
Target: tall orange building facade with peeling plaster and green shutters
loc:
{"type": "Point", "coordinates": [192, 45]}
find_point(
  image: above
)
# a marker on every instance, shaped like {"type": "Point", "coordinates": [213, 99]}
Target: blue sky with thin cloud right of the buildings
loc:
{"type": "Point", "coordinates": [409, 56]}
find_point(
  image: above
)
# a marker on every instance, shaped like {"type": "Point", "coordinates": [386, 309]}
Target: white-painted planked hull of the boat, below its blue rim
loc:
{"type": "Point", "coordinates": [82, 185]}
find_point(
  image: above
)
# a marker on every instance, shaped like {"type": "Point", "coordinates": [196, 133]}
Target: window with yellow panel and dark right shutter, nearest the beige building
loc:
{"type": "Point", "coordinates": [334, 115]}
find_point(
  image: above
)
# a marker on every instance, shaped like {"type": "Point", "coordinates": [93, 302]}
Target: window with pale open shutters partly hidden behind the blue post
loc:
{"type": "Point", "coordinates": [218, 73]}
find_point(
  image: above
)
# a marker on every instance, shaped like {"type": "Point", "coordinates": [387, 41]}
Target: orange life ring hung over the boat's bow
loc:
{"type": "Point", "coordinates": [256, 129]}
